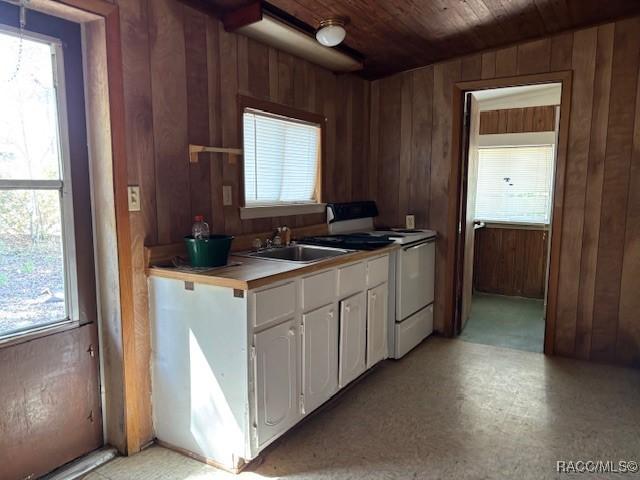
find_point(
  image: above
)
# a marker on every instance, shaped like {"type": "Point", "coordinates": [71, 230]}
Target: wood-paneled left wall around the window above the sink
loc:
{"type": "Point", "coordinates": [182, 75]}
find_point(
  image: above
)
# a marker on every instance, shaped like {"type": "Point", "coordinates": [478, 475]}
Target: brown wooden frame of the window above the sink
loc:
{"type": "Point", "coordinates": [281, 209]}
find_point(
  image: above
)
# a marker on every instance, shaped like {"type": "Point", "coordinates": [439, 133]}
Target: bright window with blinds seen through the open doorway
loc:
{"type": "Point", "coordinates": [515, 184]}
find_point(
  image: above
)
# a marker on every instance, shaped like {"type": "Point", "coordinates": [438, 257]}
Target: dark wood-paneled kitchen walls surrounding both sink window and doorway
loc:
{"type": "Point", "coordinates": [389, 140]}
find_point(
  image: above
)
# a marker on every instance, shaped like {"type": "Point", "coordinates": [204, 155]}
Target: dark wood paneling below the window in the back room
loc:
{"type": "Point", "coordinates": [510, 261]}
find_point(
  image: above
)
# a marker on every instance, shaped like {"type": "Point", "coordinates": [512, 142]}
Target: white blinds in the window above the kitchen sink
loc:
{"type": "Point", "coordinates": [281, 158]}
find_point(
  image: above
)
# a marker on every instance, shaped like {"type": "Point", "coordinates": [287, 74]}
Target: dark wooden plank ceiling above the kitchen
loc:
{"type": "Point", "coordinates": [394, 36]}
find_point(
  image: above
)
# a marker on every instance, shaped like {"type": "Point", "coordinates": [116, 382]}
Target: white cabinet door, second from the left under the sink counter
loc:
{"type": "Point", "coordinates": [319, 356]}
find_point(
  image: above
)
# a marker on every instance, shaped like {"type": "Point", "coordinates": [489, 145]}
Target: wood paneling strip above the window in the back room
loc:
{"type": "Point", "coordinates": [518, 120]}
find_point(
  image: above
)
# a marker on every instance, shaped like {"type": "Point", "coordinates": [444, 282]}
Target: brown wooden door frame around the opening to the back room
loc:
{"type": "Point", "coordinates": [457, 194]}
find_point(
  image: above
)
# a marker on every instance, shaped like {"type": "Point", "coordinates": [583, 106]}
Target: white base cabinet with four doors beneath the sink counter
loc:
{"type": "Point", "coordinates": [233, 370]}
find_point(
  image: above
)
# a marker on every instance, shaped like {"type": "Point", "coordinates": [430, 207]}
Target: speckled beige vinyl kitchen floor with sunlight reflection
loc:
{"type": "Point", "coordinates": [449, 409]}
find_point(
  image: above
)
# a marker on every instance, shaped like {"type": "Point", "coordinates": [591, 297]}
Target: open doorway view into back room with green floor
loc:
{"type": "Point", "coordinates": [510, 148]}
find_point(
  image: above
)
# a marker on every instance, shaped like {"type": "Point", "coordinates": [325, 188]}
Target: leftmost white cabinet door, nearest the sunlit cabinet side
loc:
{"type": "Point", "coordinates": [276, 353]}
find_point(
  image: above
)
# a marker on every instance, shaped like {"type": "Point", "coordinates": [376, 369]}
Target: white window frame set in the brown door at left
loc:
{"type": "Point", "coordinates": [62, 186]}
